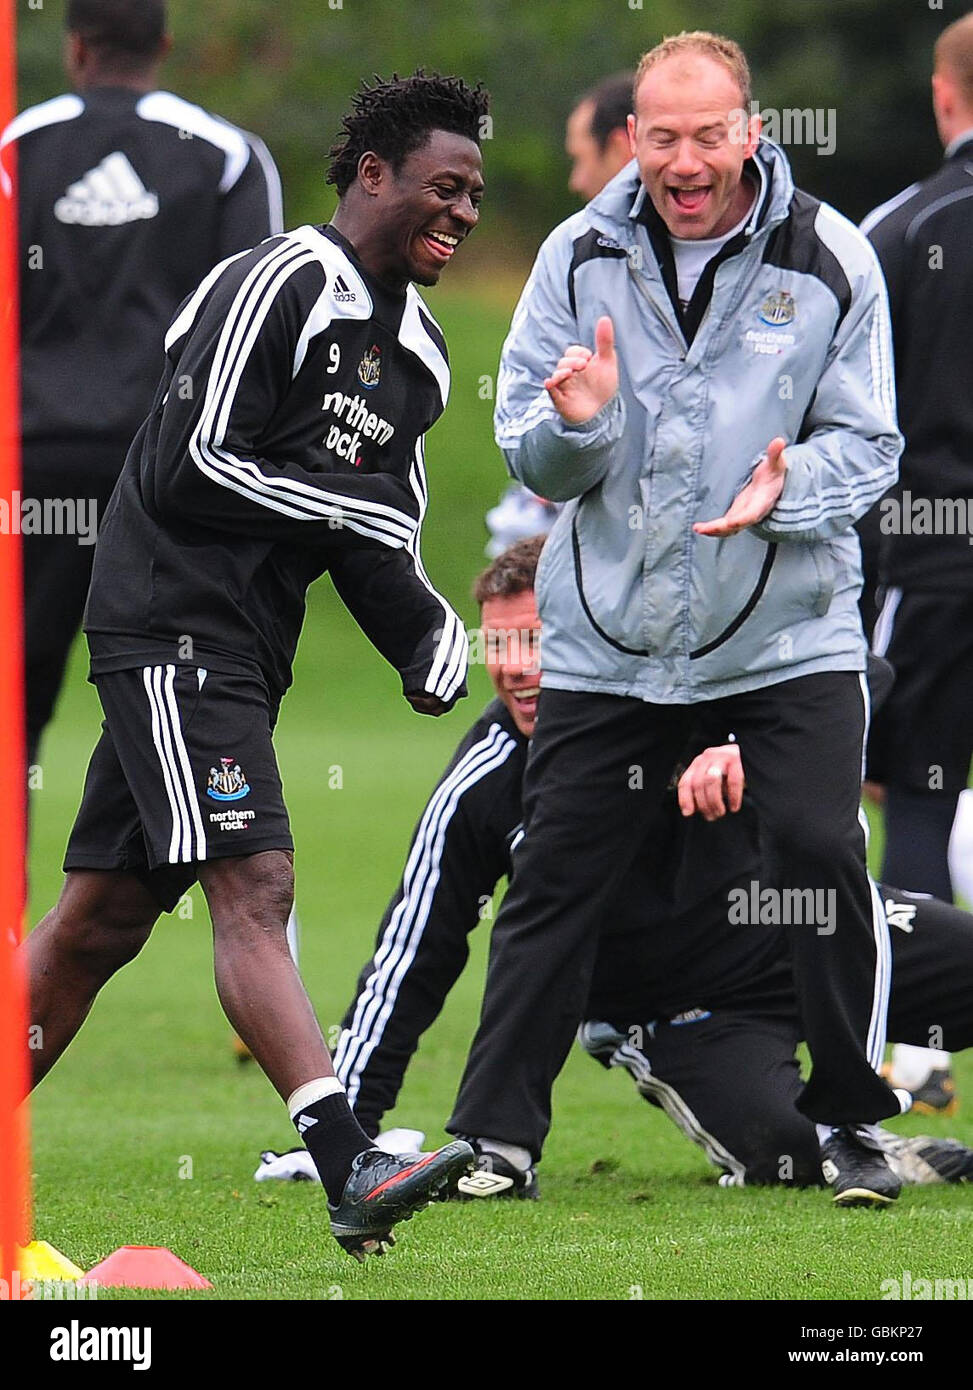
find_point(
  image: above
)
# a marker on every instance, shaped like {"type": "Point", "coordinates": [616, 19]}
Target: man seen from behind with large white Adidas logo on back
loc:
{"type": "Point", "coordinates": [129, 197]}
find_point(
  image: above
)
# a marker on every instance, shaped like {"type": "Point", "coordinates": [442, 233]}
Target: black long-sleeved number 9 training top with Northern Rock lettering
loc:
{"type": "Point", "coordinates": [286, 440]}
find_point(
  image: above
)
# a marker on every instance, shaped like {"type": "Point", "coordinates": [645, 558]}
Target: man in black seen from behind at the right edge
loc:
{"type": "Point", "coordinates": [922, 742]}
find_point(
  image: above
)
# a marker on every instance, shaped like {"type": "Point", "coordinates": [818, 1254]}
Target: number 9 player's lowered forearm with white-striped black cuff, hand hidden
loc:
{"type": "Point", "coordinates": [408, 622]}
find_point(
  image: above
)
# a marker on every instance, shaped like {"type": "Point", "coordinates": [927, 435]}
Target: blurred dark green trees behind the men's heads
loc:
{"type": "Point", "coordinates": [286, 69]}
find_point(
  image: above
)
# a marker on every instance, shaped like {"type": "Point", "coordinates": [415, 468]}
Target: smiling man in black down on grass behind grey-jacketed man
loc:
{"type": "Point", "coordinates": [697, 1006]}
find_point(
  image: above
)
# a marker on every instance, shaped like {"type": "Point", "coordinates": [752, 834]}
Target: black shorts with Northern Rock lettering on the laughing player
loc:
{"type": "Point", "coordinates": [184, 772]}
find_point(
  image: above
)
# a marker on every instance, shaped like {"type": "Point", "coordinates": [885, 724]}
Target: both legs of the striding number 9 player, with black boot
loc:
{"type": "Point", "coordinates": [104, 919]}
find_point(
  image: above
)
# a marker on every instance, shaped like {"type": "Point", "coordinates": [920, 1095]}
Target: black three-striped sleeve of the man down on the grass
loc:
{"type": "Point", "coordinates": [455, 862]}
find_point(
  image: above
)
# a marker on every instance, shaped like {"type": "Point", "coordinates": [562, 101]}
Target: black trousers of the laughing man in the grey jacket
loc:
{"type": "Point", "coordinates": [597, 769]}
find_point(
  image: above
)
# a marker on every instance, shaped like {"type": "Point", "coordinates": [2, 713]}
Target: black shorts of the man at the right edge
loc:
{"type": "Point", "coordinates": [922, 737]}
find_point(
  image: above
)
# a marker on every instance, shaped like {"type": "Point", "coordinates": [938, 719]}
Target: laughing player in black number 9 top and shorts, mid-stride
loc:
{"type": "Point", "coordinates": [286, 441]}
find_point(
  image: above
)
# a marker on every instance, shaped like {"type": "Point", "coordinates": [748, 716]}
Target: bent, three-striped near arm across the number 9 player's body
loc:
{"type": "Point", "coordinates": [233, 355]}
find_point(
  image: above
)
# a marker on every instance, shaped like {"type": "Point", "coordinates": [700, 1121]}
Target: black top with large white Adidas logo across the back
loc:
{"type": "Point", "coordinates": [126, 202]}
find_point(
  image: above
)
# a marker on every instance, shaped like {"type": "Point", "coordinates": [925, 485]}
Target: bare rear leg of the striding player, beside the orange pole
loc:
{"type": "Point", "coordinates": [99, 924]}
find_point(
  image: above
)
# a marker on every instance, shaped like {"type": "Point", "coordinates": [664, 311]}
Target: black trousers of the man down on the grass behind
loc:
{"type": "Point", "coordinates": [729, 1078]}
